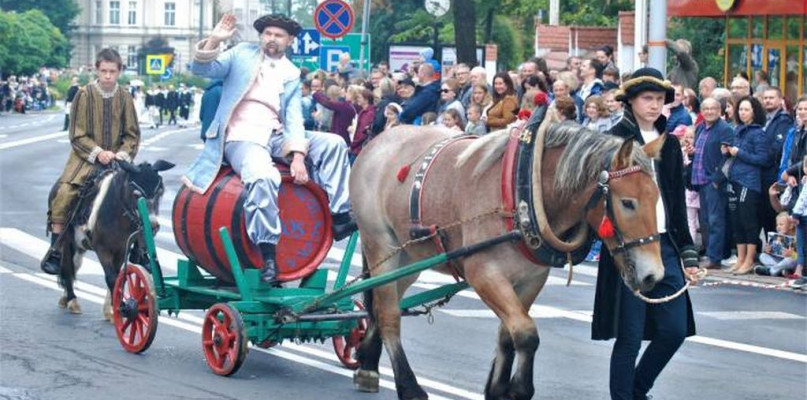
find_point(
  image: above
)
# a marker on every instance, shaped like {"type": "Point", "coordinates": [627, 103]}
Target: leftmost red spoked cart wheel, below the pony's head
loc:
{"type": "Point", "coordinates": [134, 308]}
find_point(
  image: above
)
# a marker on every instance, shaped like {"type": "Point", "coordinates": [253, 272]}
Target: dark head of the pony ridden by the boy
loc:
{"type": "Point", "coordinates": [145, 181]}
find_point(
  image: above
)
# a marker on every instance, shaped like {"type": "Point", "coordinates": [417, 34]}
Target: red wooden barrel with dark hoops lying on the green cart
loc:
{"type": "Point", "coordinates": [304, 213]}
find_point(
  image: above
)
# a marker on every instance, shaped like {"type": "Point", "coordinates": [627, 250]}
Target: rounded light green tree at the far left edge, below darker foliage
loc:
{"type": "Point", "coordinates": [29, 41]}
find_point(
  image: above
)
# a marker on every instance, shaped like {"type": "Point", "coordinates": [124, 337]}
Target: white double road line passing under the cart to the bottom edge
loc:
{"type": "Point", "coordinates": [195, 327]}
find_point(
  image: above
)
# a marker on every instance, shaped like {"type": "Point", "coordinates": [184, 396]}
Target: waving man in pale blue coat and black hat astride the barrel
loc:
{"type": "Point", "coordinates": [259, 117]}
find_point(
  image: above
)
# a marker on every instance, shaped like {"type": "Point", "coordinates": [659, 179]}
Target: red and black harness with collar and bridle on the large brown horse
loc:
{"type": "Point", "coordinates": [518, 204]}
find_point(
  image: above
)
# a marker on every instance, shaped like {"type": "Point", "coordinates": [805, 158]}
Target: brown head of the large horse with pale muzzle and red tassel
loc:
{"type": "Point", "coordinates": [628, 222]}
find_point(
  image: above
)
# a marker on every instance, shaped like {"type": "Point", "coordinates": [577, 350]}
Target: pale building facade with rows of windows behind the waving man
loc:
{"type": "Point", "coordinates": [127, 25]}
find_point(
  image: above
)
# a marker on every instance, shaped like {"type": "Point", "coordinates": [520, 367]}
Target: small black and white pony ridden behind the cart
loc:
{"type": "Point", "coordinates": [105, 222]}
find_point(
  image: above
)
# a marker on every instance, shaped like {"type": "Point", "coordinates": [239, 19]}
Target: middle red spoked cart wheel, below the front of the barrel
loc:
{"type": "Point", "coordinates": [224, 339]}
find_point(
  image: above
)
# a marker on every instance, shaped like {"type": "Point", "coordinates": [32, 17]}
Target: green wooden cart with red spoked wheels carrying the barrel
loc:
{"type": "Point", "coordinates": [251, 311]}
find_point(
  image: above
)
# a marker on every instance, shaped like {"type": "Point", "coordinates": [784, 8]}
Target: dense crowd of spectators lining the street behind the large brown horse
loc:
{"type": "Point", "coordinates": [743, 145]}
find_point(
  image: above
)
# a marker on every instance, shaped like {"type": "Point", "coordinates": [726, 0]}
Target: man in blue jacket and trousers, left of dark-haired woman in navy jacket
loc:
{"type": "Point", "coordinates": [710, 181]}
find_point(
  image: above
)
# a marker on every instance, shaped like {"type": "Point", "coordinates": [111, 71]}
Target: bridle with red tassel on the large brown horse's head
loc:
{"type": "Point", "coordinates": [604, 191]}
